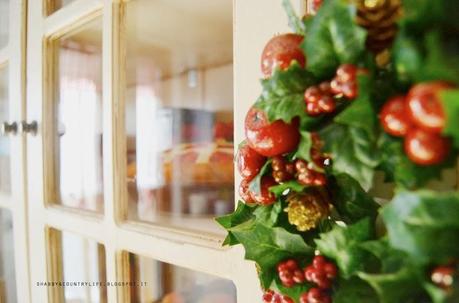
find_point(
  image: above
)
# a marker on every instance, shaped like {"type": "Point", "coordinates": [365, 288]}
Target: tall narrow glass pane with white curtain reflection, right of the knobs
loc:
{"type": "Point", "coordinates": [78, 131]}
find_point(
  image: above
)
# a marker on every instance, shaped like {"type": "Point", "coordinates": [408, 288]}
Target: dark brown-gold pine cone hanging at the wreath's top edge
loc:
{"type": "Point", "coordinates": [379, 18]}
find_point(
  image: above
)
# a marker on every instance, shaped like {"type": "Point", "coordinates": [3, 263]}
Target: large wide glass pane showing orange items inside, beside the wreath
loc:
{"type": "Point", "coordinates": [179, 111]}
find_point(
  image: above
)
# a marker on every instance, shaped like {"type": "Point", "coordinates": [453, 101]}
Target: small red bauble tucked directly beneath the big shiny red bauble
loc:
{"type": "Point", "coordinates": [249, 162]}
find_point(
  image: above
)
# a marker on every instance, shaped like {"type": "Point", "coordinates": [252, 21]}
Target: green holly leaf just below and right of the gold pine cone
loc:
{"type": "Point", "coordinates": [342, 245]}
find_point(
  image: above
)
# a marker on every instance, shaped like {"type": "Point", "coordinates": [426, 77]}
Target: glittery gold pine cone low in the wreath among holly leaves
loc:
{"type": "Point", "coordinates": [306, 210]}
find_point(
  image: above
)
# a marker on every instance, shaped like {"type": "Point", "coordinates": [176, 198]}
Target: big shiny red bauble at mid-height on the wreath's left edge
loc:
{"type": "Point", "coordinates": [270, 138]}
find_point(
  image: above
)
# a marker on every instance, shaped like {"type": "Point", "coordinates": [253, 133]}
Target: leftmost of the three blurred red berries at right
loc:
{"type": "Point", "coordinates": [394, 118]}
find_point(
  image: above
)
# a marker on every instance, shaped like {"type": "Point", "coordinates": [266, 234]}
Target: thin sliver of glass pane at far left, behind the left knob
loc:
{"type": "Point", "coordinates": [5, 178]}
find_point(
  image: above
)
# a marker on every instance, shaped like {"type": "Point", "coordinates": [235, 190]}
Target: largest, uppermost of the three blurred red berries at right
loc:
{"type": "Point", "coordinates": [424, 106]}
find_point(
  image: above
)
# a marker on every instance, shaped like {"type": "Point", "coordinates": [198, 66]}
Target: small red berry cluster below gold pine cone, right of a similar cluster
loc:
{"type": "Point", "coordinates": [321, 272]}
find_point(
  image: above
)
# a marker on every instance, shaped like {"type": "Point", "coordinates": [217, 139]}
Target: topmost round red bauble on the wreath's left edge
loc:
{"type": "Point", "coordinates": [280, 51]}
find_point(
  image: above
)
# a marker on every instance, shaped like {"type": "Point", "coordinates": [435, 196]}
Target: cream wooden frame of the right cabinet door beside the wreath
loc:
{"type": "Point", "coordinates": [255, 21]}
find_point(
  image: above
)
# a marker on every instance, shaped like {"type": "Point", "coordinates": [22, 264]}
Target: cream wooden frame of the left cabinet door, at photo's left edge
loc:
{"type": "Point", "coordinates": [12, 56]}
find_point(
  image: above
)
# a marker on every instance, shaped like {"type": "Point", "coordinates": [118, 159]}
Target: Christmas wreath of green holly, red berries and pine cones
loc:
{"type": "Point", "coordinates": [361, 89]}
